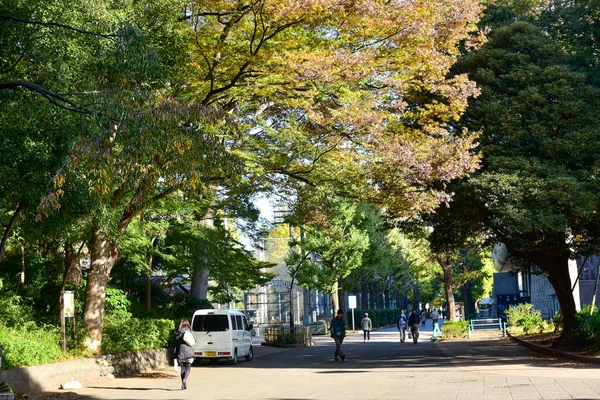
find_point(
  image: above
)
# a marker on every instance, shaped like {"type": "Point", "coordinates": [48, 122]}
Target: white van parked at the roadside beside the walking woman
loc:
{"type": "Point", "coordinates": [221, 334]}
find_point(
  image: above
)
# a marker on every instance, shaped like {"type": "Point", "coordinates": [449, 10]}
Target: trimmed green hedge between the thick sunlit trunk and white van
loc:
{"type": "Point", "coordinates": [134, 334]}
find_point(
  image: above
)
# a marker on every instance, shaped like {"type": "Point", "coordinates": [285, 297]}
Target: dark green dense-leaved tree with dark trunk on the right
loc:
{"type": "Point", "coordinates": [536, 191]}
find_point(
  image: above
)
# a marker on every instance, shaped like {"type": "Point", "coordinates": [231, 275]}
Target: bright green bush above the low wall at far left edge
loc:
{"type": "Point", "coordinates": [29, 346]}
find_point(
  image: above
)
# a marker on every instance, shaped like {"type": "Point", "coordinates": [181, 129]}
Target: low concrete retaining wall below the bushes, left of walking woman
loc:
{"type": "Point", "coordinates": [50, 377]}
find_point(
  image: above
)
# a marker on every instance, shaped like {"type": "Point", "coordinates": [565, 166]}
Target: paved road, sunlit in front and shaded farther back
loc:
{"type": "Point", "coordinates": [381, 369]}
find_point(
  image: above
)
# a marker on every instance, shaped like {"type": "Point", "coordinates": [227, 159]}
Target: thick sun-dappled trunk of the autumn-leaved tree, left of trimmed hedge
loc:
{"type": "Point", "coordinates": [104, 255]}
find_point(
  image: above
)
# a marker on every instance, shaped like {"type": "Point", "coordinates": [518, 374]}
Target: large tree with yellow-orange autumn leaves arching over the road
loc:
{"type": "Point", "coordinates": [265, 79]}
